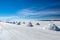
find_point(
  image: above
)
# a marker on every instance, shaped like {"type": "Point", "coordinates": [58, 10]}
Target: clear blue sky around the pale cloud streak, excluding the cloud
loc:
{"type": "Point", "coordinates": [10, 7]}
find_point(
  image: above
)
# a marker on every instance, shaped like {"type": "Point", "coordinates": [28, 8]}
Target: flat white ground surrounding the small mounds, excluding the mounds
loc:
{"type": "Point", "coordinates": [21, 32]}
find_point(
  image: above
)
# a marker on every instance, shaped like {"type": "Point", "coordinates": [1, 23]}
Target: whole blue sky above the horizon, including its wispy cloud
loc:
{"type": "Point", "coordinates": [30, 9]}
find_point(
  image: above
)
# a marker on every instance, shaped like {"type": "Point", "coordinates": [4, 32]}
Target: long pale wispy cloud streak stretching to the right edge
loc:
{"type": "Point", "coordinates": [26, 12]}
